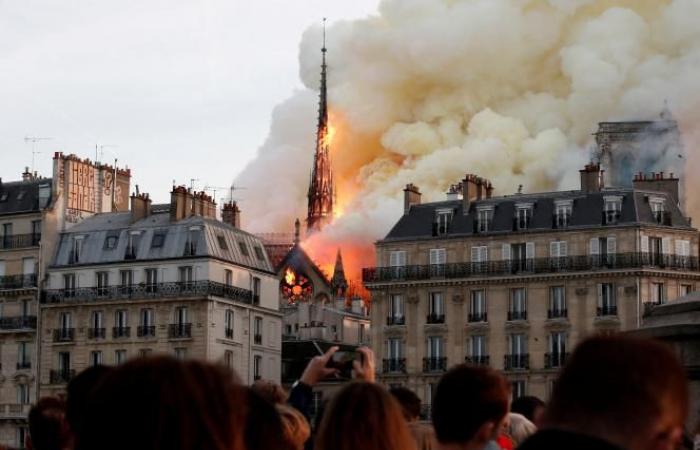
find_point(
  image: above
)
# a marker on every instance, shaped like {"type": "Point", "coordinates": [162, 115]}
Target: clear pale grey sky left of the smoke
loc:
{"type": "Point", "coordinates": [183, 89]}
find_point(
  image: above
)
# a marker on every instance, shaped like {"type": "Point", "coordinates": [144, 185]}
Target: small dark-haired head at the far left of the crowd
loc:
{"type": "Point", "coordinates": [48, 429]}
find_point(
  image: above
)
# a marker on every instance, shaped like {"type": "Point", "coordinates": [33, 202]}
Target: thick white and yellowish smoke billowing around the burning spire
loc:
{"type": "Point", "coordinates": [428, 90]}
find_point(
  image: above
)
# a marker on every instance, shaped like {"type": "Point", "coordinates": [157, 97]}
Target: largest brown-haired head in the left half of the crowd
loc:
{"type": "Point", "coordinates": [162, 403]}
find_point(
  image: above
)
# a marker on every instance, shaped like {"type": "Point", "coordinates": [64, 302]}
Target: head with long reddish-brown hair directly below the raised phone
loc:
{"type": "Point", "coordinates": [364, 416]}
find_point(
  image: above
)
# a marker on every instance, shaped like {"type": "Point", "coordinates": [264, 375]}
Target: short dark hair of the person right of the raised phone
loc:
{"type": "Point", "coordinates": [466, 398]}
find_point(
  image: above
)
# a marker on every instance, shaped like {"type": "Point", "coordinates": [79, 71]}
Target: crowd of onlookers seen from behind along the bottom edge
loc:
{"type": "Point", "coordinates": [615, 393]}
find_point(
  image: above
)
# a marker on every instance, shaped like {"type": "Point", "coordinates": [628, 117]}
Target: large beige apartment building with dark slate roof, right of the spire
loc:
{"type": "Point", "coordinates": [514, 282]}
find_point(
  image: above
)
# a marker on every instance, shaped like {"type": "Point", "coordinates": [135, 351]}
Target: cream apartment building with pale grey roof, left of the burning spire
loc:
{"type": "Point", "coordinates": [167, 279]}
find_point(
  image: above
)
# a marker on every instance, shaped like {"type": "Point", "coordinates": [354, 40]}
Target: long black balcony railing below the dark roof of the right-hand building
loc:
{"type": "Point", "coordinates": [578, 263]}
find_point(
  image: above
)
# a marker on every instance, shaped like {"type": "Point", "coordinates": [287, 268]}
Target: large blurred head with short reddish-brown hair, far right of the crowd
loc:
{"type": "Point", "coordinates": [629, 391]}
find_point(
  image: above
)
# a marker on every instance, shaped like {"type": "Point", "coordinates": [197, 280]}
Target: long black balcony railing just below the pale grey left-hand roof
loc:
{"type": "Point", "coordinates": [147, 291]}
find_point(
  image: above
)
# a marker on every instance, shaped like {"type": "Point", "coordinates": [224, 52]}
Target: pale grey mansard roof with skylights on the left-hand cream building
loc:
{"type": "Point", "coordinates": [209, 236]}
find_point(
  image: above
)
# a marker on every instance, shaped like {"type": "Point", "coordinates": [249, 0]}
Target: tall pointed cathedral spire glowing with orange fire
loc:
{"type": "Point", "coordinates": [321, 190]}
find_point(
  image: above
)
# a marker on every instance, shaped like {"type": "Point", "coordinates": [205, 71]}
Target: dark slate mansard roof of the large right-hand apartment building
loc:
{"type": "Point", "coordinates": [587, 212]}
